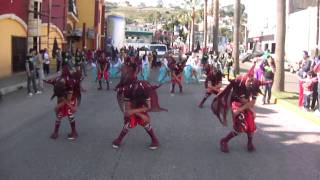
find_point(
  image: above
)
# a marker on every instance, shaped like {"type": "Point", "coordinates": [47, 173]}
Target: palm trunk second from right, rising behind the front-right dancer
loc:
{"type": "Point", "coordinates": [236, 36]}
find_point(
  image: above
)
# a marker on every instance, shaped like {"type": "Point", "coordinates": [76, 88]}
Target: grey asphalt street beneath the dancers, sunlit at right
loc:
{"type": "Point", "coordinates": [287, 146]}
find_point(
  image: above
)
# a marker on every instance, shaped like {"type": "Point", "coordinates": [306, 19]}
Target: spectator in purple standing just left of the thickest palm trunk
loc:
{"type": "Point", "coordinates": [268, 69]}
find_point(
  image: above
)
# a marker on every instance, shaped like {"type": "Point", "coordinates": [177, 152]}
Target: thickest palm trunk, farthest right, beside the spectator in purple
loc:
{"type": "Point", "coordinates": [280, 45]}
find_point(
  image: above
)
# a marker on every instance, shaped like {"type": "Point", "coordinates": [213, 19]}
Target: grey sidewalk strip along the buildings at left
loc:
{"type": "Point", "coordinates": [17, 81]}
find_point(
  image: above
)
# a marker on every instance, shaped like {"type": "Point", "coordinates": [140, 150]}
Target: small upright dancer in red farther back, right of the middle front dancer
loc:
{"type": "Point", "coordinates": [176, 74]}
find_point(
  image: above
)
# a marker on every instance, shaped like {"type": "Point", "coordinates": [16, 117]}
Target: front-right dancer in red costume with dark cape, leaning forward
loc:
{"type": "Point", "coordinates": [239, 96]}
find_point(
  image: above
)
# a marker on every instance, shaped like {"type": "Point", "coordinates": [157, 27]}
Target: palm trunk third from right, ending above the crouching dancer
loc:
{"type": "Point", "coordinates": [215, 14]}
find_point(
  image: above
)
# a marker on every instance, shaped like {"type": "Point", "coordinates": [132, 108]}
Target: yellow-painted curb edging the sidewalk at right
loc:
{"type": "Point", "coordinates": [295, 109]}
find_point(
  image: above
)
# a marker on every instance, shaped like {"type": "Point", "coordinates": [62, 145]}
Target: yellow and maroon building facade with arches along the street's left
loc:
{"type": "Point", "coordinates": [22, 28]}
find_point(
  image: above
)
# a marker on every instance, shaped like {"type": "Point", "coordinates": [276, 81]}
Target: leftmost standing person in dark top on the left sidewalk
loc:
{"type": "Point", "coordinates": [31, 73]}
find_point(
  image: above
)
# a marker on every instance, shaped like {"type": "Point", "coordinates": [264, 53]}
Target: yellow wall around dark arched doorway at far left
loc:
{"type": "Point", "coordinates": [12, 28]}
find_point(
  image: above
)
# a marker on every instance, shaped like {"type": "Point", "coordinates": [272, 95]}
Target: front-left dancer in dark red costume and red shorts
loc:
{"type": "Point", "coordinates": [66, 89]}
